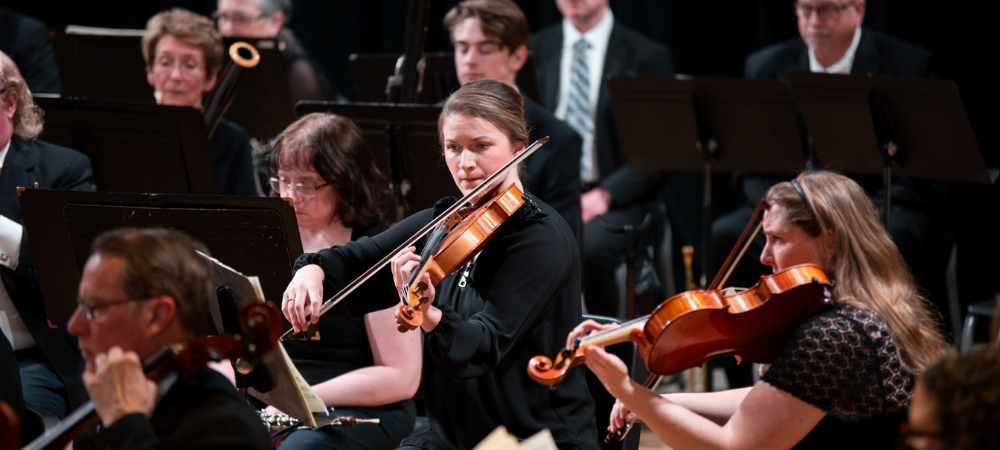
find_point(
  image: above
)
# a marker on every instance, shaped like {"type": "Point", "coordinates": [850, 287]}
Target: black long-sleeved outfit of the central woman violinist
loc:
{"type": "Point", "coordinates": [521, 298]}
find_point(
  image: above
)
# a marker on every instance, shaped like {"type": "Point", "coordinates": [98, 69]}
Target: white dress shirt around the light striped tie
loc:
{"type": "Point", "coordinates": [597, 37]}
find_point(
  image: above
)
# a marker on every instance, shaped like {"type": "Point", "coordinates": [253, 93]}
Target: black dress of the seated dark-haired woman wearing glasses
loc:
{"type": "Point", "coordinates": [343, 346]}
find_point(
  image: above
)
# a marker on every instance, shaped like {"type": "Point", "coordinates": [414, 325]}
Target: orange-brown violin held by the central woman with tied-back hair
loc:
{"type": "Point", "coordinates": [466, 236]}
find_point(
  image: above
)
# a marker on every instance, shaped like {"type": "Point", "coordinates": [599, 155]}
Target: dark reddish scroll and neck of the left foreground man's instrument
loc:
{"type": "Point", "coordinates": [260, 324]}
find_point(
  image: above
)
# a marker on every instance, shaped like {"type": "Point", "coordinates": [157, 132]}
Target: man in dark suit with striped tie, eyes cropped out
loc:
{"type": "Point", "coordinates": [622, 195]}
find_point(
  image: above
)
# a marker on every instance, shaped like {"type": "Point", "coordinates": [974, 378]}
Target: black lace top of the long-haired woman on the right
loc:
{"type": "Point", "coordinates": [843, 361]}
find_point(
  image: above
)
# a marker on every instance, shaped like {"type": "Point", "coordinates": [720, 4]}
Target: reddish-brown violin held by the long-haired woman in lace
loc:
{"type": "Point", "coordinates": [691, 327]}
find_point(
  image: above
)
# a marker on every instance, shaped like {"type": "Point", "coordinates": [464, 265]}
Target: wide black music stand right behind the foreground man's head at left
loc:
{"type": "Point", "coordinates": [253, 235]}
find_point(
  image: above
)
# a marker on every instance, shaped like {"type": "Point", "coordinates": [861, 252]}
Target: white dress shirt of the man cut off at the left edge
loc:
{"type": "Point", "coordinates": [11, 324]}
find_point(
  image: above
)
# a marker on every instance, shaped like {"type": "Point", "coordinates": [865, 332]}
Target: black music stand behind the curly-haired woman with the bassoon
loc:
{"type": "Point", "coordinates": [262, 105]}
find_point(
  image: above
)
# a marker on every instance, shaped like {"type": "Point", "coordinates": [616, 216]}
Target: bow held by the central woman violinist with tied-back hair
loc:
{"type": "Point", "coordinates": [483, 187]}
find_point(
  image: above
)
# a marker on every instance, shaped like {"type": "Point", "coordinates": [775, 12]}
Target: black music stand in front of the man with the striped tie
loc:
{"type": "Point", "coordinates": [708, 125]}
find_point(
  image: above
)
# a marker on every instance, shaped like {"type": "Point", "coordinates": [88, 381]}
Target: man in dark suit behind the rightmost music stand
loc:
{"type": "Point", "coordinates": [831, 40]}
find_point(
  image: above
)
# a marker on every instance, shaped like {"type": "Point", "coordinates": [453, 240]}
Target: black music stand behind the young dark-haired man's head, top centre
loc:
{"type": "Point", "coordinates": [370, 72]}
